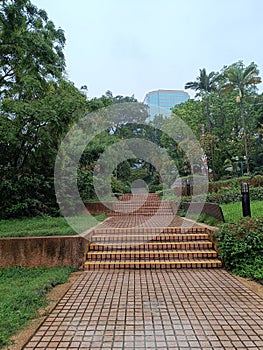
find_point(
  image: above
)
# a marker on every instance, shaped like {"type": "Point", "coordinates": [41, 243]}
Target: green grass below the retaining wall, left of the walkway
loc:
{"type": "Point", "coordinates": [22, 293]}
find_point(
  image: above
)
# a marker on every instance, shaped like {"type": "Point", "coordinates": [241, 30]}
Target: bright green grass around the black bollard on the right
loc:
{"type": "Point", "coordinates": [233, 211]}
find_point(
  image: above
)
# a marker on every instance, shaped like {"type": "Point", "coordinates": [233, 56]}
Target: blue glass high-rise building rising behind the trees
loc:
{"type": "Point", "coordinates": [161, 102]}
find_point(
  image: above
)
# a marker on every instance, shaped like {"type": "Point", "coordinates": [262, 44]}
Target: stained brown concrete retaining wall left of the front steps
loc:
{"type": "Point", "coordinates": [42, 251]}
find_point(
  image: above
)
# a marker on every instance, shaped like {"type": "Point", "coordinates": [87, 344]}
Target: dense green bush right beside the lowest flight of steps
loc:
{"type": "Point", "coordinates": [241, 247]}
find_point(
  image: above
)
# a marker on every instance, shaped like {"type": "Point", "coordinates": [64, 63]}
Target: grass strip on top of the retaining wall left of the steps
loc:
{"type": "Point", "coordinates": [41, 226]}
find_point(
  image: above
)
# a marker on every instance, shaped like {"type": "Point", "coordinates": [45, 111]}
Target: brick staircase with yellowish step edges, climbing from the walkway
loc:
{"type": "Point", "coordinates": [115, 246]}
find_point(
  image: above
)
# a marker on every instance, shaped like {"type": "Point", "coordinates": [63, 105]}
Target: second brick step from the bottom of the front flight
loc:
{"type": "Point", "coordinates": [152, 255]}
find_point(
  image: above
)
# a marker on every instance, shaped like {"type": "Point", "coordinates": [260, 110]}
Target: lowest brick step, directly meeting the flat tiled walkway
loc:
{"type": "Point", "coordinates": [153, 264]}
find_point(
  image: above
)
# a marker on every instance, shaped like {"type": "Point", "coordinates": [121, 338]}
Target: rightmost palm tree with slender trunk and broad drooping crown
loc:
{"type": "Point", "coordinates": [240, 78]}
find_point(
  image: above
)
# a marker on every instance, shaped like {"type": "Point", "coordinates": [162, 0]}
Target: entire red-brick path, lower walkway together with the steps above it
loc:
{"type": "Point", "coordinates": [146, 305]}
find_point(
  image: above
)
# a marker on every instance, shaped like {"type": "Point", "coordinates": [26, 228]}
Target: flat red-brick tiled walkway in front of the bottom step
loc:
{"type": "Point", "coordinates": [154, 309]}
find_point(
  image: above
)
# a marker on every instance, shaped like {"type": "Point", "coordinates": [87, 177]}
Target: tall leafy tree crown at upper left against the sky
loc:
{"type": "Point", "coordinates": [31, 49]}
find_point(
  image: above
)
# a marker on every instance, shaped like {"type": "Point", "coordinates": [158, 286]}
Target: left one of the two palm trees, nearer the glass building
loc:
{"type": "Point", "coordinates": [204, 85]}
